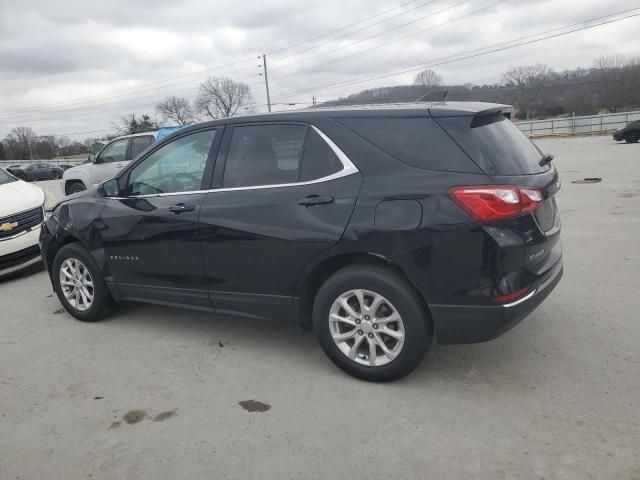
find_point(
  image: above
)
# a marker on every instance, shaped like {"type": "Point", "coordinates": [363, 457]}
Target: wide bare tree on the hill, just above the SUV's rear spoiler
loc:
{"type": "Point", "coordinates": [528, 81]}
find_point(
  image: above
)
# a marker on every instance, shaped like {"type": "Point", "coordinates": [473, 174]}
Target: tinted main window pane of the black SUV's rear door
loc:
{"type": "Point", "coordinates": [264, 155]}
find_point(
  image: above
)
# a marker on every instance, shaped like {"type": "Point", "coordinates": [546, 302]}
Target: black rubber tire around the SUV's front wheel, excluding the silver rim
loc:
{"type": "Point", "coordinates": [102, 300]}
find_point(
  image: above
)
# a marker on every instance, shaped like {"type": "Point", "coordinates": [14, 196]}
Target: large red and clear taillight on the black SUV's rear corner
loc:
{"type": "Point", "coordinates": [489, 203]}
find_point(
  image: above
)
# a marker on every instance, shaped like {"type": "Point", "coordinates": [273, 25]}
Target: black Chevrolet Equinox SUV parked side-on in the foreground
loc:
{"type": "Point", "coordinates": [382, 227]}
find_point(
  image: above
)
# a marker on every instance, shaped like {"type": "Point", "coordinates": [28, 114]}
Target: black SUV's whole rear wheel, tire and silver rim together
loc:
{"type": "Point", "coordinates": [372, 323]}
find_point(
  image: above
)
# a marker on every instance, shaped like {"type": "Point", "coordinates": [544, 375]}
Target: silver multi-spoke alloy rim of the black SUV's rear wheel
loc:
{"type": "Point", "coordinates": [366, 328]}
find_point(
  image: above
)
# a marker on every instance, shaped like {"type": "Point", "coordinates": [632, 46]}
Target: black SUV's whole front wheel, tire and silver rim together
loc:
{"type": "Point", "coordinates": [79, 285]}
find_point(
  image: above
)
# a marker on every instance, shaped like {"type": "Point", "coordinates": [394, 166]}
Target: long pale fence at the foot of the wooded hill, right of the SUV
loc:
{"type": "Point", "coordinates": [591, 124]}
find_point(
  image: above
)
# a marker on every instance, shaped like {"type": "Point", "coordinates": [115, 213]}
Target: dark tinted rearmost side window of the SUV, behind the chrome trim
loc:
{"type": "Point", "coordinates": [418, 142]}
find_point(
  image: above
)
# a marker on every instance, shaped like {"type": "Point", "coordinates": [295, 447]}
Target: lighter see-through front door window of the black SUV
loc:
{"type": "Point", "coordinates": [176, 167]}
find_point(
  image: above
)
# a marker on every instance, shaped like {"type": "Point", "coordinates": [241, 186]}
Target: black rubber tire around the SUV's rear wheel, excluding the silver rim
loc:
{"type": "Point", "coordinates": [407, 302]}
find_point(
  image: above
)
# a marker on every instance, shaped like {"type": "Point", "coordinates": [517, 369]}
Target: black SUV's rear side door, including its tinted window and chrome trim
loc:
{"type": "Point", "coordinates": [283, 193]}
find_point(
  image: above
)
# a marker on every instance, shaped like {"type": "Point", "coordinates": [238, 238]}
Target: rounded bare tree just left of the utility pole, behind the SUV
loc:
{"type": "Point", "coordinates": [222, 97]}
